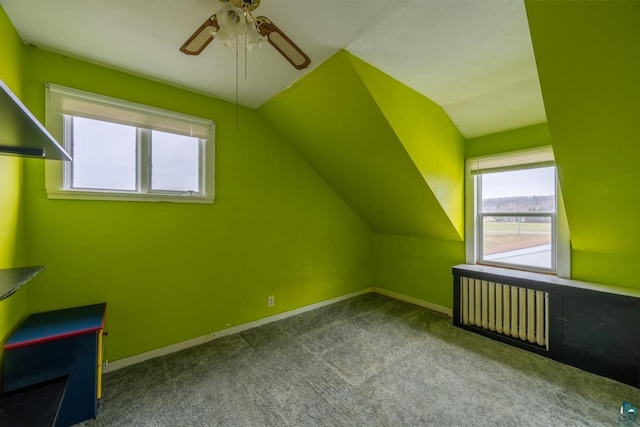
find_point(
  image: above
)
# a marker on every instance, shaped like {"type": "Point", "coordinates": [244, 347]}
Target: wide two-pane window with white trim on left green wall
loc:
{"type": "Point", "coordinates": [126, 151]}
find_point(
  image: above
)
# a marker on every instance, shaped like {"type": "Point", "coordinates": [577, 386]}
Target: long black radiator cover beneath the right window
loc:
{"type": "Point", "coordinates": [590, 326]}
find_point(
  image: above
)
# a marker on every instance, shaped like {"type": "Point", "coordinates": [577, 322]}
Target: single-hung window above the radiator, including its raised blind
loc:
{"type": "Point", "coordinates": [514, 209]}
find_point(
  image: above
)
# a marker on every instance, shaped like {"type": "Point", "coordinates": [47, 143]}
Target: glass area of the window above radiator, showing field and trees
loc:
{"type": "Point", "coordinates": [517, 217]}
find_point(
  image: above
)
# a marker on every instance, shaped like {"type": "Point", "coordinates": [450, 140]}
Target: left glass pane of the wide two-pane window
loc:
{"type": "Point", "coordinates": [104, 155]}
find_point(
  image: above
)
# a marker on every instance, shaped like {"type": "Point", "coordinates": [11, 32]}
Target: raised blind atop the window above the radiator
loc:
{"type": "Point", "coordinates": [515, 160]}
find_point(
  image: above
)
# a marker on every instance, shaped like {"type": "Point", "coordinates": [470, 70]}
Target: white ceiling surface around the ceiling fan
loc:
{"type": "Point", "coordinates": [472, 57]}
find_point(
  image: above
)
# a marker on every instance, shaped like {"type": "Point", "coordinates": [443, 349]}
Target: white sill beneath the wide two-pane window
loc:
{"type": "Point", "coordinates": [126, 197]}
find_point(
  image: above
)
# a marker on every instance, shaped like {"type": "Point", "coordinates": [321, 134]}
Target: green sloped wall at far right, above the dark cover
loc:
{"type": "Point", "coordinates": [588, 61]}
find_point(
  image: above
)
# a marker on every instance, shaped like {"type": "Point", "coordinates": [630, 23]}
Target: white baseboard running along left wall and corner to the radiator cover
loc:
{"type": "Point", "coordinates": [163, 351]}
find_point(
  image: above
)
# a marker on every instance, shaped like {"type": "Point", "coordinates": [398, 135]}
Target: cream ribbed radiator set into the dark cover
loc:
{"type": "Point", "coordinates": [509, 310]}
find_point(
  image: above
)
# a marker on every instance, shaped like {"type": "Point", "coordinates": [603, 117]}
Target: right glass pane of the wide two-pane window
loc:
{"type": "Point", "coordinates": [175, 162]}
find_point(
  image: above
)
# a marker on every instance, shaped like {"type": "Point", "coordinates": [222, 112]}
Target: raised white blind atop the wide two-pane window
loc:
{"type": "Point", "coordinates": [73, 102]}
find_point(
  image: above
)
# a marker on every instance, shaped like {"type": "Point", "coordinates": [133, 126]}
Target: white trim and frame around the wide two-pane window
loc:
{"type": "Point", "coordinates": [62, 102]}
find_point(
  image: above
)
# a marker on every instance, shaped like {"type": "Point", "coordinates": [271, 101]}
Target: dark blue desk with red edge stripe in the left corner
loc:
{"type": "Point", "coordinates": [57, 343]}
